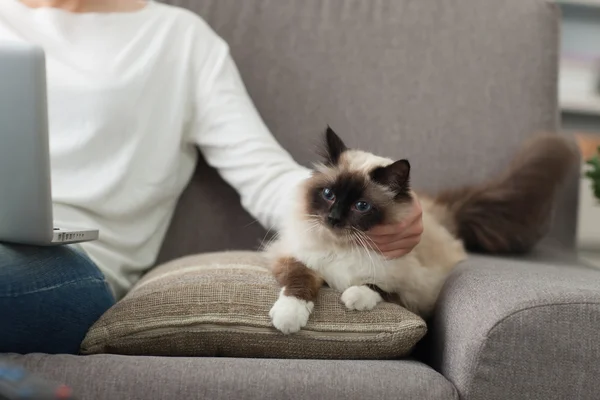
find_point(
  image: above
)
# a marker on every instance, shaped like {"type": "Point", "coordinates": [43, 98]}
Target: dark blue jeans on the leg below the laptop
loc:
{"type": "Point", "coordinates": [49, 298]}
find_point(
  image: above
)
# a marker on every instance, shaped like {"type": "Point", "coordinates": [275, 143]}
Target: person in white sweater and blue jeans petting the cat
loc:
{"type": "Point", "coordinates": [133, 87]}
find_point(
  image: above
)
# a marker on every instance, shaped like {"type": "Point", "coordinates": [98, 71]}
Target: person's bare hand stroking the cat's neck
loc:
{"type": "Point", "coordinates": [399, 239]}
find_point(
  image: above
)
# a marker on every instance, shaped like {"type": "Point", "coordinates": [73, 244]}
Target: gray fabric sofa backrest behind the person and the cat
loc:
{"type": "Point", "coordinates": [454, 86]}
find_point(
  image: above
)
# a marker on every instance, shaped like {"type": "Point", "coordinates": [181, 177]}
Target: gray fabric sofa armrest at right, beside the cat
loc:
{"type": "Point", "coordinates": [519, 329]}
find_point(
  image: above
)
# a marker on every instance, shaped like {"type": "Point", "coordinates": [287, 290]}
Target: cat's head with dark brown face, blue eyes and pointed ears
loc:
{"type": "Point", "coordinates": [354, 190]}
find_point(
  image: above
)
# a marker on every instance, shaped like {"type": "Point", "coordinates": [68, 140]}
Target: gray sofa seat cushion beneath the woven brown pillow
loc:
{"type": "Point", "coordinates": [111, 377]}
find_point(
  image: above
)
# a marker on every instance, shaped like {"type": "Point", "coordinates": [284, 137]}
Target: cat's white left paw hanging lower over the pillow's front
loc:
{"type": "Point", "coordinates": [290, 314]}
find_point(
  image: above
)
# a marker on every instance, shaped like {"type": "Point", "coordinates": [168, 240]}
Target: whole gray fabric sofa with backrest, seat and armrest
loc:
{"type": "Point", "coordinates": [455, 86]}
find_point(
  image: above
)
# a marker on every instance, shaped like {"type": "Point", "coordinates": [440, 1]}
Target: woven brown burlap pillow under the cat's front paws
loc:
{"type": "Point", "coordinates": [218, 305]}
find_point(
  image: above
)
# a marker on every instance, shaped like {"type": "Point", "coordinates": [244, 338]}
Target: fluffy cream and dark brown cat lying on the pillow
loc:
{"type": "Point", "coordinates": [323, 240]}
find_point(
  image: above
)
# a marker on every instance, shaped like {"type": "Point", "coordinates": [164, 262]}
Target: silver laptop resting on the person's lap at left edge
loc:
{"type": "Point", "coordinates": [25, 188]}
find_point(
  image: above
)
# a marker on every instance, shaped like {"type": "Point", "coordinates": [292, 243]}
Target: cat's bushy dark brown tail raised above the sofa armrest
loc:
{"type": "Point", "coordinates": [511, 213]}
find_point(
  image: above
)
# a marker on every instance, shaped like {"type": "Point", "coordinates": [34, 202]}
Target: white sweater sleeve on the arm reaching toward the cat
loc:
{"type": "Point", "coordinates": [234, 139]}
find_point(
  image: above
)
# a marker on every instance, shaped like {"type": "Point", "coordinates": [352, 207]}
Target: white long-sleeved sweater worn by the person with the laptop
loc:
{"type": "Point", "coordinates": [130, 96]}
